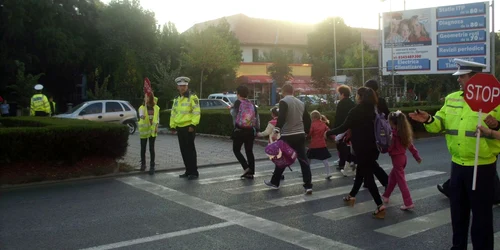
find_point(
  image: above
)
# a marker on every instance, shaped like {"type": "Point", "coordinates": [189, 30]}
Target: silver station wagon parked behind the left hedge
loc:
{"type": "Point", "coordinates": [116, 111]}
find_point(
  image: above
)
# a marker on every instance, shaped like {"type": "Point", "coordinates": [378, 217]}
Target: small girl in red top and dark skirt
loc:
{"type": "Point", "coordinates": [317, 148]}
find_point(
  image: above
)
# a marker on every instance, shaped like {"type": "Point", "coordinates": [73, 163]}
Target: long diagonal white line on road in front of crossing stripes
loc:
{"type": "Point", "coordinates": [270, 228]}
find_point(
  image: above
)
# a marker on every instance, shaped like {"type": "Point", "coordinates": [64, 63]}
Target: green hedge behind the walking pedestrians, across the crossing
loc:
{"type": "Point", "coordinates": [219, 122]}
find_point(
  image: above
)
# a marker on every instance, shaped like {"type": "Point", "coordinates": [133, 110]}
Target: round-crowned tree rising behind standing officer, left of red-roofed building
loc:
{"type": "Point", "coordinates": [211, 49]}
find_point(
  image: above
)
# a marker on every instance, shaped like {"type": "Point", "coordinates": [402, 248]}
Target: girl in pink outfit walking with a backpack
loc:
{"type": "Point", "coordinates": [402, 137]}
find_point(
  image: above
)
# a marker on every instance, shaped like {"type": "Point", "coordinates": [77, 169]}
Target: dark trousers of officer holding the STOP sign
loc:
{"type": "Point", "coordinates": [463, 199]}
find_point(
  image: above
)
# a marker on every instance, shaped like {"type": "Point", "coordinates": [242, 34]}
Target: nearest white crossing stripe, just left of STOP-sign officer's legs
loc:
{"type": "Point", "coordinates": [417, 225]}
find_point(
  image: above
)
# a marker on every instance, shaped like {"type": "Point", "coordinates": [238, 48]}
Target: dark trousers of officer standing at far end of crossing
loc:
{"type": "Point", "coordinates": [188, 149]}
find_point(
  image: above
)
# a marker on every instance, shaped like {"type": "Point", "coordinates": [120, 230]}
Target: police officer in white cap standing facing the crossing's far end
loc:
{"type": "Point", "coordinates": [184, 118]}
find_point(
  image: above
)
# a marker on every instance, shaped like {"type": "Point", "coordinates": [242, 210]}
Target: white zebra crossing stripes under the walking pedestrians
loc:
{"type": "Point", "coordinates": [400, 228]}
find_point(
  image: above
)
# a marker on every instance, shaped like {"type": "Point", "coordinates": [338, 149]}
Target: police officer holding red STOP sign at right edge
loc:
{"type": "Point", "coordinates": [458, 122]}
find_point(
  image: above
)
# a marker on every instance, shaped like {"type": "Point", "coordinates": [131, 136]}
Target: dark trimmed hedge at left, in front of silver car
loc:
{"type": "Point", "coordinates": [44, 139]}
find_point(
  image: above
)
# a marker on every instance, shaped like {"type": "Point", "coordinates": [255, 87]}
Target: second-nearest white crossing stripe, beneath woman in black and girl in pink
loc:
{"type": "Point", "coordinates": [369, 206]}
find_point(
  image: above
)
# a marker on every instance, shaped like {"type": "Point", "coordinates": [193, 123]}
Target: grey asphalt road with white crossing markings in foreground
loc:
{"type": "Point", "coordinates": [220, 211]}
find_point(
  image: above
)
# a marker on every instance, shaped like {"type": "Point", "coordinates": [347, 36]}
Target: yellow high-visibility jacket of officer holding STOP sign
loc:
{"type": "Point", "coordinates": [458, 122]}
